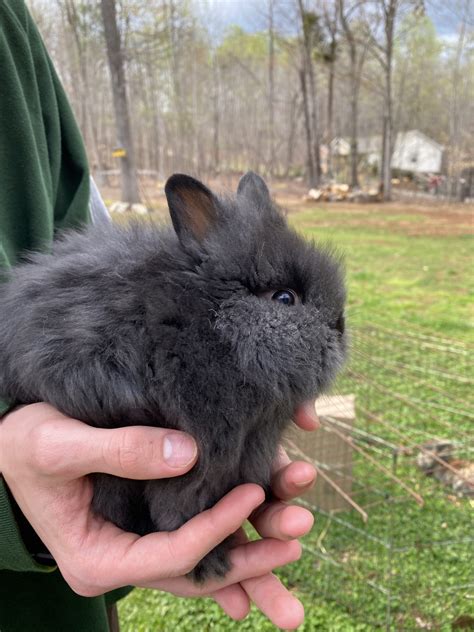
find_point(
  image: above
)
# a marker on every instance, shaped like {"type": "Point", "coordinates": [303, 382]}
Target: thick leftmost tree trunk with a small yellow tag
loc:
{"type": "Point", "coordinates": [122, 117]}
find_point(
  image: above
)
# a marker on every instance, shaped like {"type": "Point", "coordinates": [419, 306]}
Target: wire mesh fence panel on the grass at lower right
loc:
{"type": "Point", "coordinates": [394, 539]}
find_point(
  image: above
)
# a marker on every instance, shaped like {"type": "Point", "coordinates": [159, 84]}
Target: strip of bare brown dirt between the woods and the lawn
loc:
{"type": "Point", "coordinates": [414, 218]}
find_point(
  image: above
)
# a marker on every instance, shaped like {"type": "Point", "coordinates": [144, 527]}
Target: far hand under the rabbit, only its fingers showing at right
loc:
{"type": "Point", "coordinates": [276, 521]}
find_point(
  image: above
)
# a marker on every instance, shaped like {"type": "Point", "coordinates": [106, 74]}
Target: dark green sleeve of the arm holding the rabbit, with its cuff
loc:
{"type": "Point", "coordinates": [44, 183]}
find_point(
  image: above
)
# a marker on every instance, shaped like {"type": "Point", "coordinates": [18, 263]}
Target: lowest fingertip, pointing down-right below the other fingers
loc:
{"type": "Point", "coordinates": [275, 601]}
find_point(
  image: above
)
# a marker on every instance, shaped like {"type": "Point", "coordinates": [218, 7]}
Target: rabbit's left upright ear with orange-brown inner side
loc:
{"type": "Point", "coordinates": [193, 208]}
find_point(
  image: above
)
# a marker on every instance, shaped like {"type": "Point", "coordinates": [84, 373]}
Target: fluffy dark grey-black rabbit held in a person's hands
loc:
{"type": "Point", "coordinates": [141, 324]}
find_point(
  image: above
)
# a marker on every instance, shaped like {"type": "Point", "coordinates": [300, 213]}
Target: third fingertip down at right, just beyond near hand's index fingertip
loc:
{"type": "Point", "coordinates": [282, 522]}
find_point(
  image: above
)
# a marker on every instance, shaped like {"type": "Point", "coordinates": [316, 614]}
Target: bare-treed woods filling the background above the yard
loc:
{"type": "Point", "coordinates": [166, 86]}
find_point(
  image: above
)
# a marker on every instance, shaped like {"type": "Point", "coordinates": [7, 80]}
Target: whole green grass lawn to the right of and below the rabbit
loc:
{"type": "Point", "coordinates": [410, 274]}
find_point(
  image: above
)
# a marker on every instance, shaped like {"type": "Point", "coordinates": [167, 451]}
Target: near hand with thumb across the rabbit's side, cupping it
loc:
{"type": "Point", "coordinates": [45, 457]}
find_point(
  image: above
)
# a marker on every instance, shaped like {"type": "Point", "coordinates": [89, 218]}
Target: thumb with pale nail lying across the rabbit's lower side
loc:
{"type": "Point", "coordinates": [68, 448]}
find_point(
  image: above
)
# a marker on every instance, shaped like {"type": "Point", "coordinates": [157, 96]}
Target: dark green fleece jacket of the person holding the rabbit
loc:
{"type": "Point", "coordinates": [44, 186]}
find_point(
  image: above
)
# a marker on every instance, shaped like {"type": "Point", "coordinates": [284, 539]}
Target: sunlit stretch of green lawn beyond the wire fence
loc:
{"type": "Point", "coordinates": [393, 277]}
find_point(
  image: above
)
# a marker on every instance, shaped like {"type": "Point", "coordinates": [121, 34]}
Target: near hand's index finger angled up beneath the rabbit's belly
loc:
{"type": "Point", "coordinates": [176, 553]}
